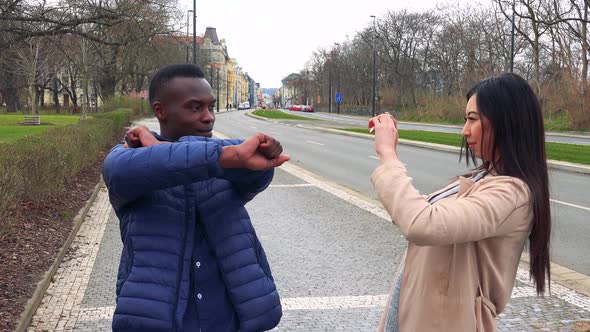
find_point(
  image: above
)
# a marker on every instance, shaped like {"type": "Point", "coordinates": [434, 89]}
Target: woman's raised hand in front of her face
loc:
{"type": "Point", "coordinates": [386, 136]}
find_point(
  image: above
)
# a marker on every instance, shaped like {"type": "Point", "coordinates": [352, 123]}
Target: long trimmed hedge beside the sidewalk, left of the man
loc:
{"type": "Point", "coordinates": [37, 166]}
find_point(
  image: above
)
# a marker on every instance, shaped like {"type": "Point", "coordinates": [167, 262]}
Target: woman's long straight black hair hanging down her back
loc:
{"type": "Point", "coordinates": [516, 119]}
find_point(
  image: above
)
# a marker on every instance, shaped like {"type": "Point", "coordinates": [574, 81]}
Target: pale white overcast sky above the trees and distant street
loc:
{"type": "Point", "coordinates": [271, 39]}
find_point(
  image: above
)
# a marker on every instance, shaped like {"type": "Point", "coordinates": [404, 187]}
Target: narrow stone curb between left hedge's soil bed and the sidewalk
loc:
{"type": "Point", "coordinates": [34, 302]}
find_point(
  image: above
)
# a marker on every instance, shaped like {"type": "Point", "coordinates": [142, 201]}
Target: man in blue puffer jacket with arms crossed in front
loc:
{"type": "Point", "coordinates": [191, 260]}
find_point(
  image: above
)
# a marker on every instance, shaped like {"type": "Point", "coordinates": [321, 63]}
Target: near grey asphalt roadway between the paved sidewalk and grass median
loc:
{"type": "Point", "coordinates": [350, 161]}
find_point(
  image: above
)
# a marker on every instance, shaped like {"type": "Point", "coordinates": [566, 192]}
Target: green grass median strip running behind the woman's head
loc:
{"type": "Point", "coordinates": [557, 151]}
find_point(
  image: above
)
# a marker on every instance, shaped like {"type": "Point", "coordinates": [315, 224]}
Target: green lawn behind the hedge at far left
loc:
{"type": "Point", "coordinates": [11, 128]}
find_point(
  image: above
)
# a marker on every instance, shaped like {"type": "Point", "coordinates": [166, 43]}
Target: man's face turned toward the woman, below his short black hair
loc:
{"type": "Point", "coordinates": [185, 107]}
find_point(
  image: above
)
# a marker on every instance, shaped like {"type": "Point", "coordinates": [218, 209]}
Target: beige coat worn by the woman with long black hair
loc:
{"type": "Point", "coordinates": [463, 251]}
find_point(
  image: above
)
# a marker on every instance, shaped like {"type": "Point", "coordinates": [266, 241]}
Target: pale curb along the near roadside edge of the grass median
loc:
{"type": "Point", "coordinates": [553, 164]}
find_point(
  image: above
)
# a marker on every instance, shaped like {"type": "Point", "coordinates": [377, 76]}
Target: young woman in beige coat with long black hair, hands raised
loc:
{"type": "Point", "coordinates": [465, 240]}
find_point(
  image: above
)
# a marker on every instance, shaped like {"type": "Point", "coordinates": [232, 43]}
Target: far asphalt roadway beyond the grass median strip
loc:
{"type": "Point", "coordinates": [359, 121]}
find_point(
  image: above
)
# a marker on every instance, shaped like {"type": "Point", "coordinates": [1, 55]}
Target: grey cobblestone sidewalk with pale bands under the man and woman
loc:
{"type": "Point", "coordinates": [332, 255]}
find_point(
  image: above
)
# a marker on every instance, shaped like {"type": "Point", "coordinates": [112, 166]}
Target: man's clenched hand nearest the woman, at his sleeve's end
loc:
{"type": "Point", "coordinates": [259, 152]}
